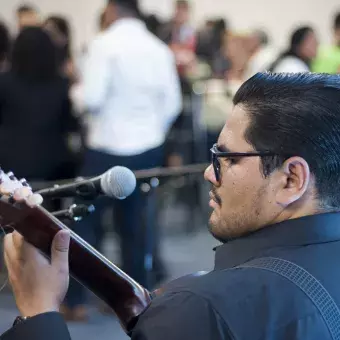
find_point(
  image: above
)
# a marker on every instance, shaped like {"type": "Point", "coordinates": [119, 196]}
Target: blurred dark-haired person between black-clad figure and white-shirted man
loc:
{"type": "Point", "coordinates": [59, 29]}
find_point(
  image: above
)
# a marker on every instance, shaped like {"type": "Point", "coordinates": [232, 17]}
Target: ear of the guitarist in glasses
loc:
{"type": "Point", "coordinates": [294, 179]}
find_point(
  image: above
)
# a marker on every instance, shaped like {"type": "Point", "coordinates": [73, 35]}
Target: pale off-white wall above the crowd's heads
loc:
{"type": "Point", "coordinates": [277, 16]}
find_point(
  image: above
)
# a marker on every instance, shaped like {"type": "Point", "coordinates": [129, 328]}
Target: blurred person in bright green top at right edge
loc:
{"type": "Point", "coordinates": [328, 58]}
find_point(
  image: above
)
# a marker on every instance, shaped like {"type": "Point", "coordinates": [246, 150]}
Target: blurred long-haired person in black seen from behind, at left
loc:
{"type": "Point", "coordinates": [35, 110]}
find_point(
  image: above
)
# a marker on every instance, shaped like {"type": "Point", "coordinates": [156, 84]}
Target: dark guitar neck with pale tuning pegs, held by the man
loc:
{"type": "Point", "coordinates": [125, 296]}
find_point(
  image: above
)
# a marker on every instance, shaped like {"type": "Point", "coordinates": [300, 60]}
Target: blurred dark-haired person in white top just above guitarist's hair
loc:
{"type": "Point", "coordinates": [302, 51]}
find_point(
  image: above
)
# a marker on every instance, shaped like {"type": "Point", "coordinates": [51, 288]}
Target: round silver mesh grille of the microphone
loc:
{"type": "Point", "coordinates": [118, 182]}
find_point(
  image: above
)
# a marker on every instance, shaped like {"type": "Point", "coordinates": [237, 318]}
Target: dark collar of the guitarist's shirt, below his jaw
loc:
{"type": "Point", "coordinates": [298, 232]}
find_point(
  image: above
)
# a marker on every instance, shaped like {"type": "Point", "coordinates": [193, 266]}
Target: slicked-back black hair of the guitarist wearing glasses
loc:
{"type": "Point", "coordinates": [297, 115]}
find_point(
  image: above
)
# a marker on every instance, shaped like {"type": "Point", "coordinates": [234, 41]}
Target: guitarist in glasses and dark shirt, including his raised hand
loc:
{"type": "Point", "coordinates": [275, 200]}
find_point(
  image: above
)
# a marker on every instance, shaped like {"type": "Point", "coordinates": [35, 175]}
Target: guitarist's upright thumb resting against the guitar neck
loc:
{"type": "Point", "coordinates": [60, 250]}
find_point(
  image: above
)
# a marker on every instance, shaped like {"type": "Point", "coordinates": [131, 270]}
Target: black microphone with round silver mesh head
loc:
{"type": "Point", "coordinates": [118, 182]}
